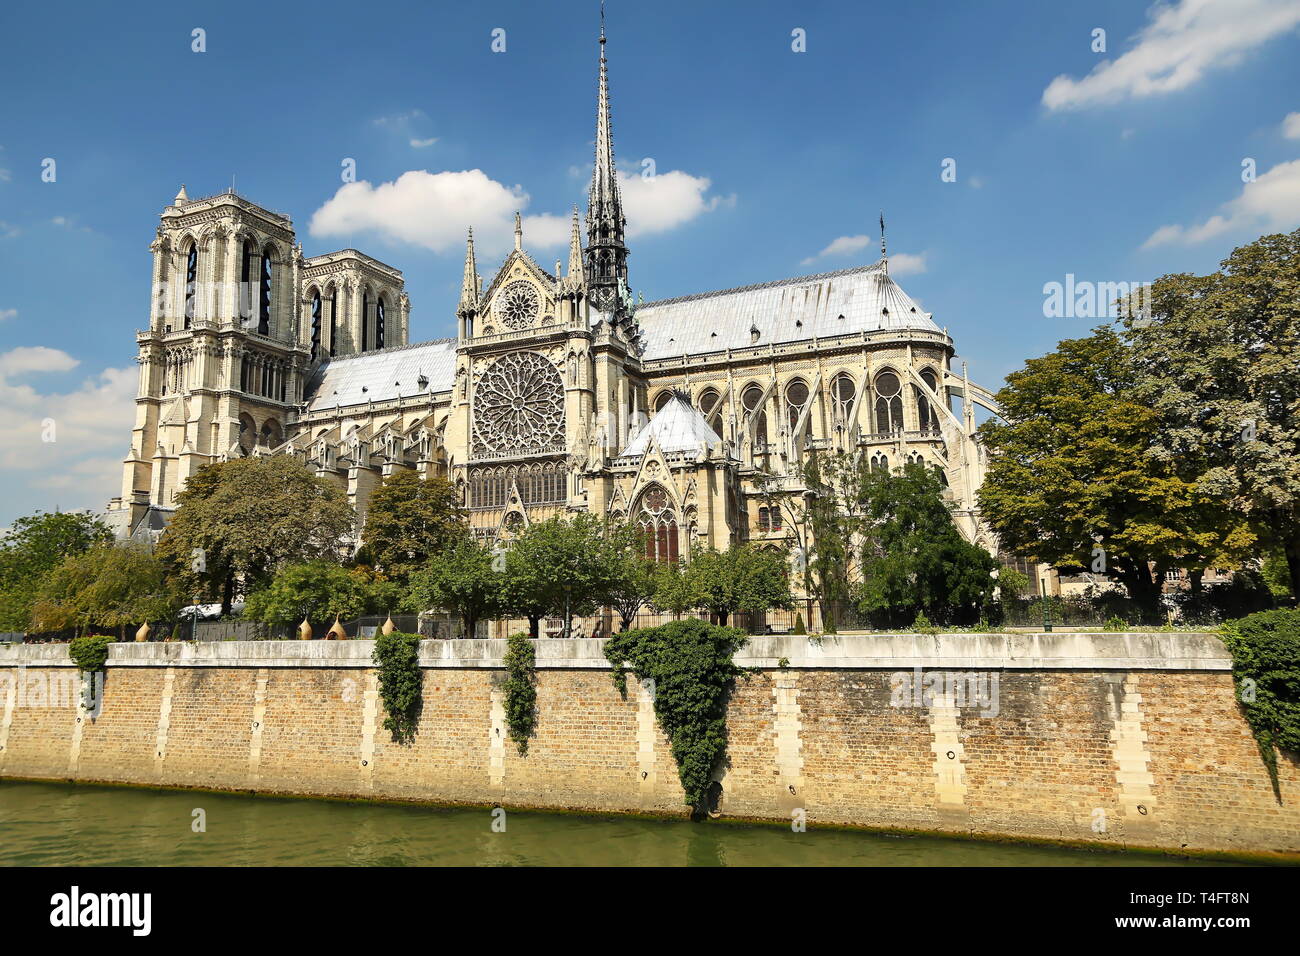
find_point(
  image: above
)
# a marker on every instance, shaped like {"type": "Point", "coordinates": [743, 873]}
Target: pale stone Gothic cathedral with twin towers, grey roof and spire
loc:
{"type": "Point", "coordinates": [560, 393]}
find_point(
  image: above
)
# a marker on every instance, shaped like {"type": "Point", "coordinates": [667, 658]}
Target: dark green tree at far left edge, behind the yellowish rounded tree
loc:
{"type": "Point", "coordinates": [34, 547]}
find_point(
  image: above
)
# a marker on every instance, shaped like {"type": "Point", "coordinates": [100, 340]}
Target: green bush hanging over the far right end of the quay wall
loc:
{"type": "Point", "coordinates": [1266, 650]}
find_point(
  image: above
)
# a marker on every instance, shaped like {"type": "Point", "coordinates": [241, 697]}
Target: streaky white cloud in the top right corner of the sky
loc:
{"type": "Point", "coordinates": [1180, 46]}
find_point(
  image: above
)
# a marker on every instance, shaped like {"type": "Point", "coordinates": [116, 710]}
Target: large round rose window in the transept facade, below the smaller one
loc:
{"type": "Point", "coordinates": [519, 406]}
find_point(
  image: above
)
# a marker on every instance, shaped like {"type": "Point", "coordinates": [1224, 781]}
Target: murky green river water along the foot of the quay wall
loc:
{"type": "Point", "coordinates": [75, 825]}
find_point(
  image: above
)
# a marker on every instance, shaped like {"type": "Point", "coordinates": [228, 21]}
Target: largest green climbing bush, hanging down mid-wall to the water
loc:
{"type": "Point", "coordinates": [694, 673]}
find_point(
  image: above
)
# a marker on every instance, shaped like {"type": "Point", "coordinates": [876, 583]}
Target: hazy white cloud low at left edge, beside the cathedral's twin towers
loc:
{"type": "Point", "coordinates": [89, 427]}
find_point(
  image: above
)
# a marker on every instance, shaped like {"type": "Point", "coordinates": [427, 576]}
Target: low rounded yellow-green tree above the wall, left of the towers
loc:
{"type": "Point", "coordinates": [107, 587]}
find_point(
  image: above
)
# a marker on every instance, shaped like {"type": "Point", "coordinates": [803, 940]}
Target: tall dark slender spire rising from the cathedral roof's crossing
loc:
{"type": "Point", "coordinates": [606, 253]}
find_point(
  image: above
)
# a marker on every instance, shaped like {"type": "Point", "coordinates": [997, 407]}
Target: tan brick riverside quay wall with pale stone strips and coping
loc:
{"type": "Point", "coordinates": [1128, 739]}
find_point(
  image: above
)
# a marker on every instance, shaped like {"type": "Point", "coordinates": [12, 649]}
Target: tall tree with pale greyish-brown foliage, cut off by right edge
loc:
{"type": "Point", "coordinates": [1216, 362]}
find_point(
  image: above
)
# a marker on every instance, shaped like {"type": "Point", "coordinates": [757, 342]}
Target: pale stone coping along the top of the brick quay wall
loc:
{"type": "Point", "coordinates": [1177, 651]}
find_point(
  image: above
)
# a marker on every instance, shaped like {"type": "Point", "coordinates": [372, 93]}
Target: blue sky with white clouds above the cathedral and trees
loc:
{"type": "Point", "coordinates": [1116, 166]}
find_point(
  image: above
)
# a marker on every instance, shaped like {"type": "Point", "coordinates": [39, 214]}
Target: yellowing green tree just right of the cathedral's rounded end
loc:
{"type": "Point", "coordinates": [1072, 482]}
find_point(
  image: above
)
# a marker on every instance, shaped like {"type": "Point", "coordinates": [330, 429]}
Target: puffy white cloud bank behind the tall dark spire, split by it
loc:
{"type": "Point", "coordinates": [434, 210]}
